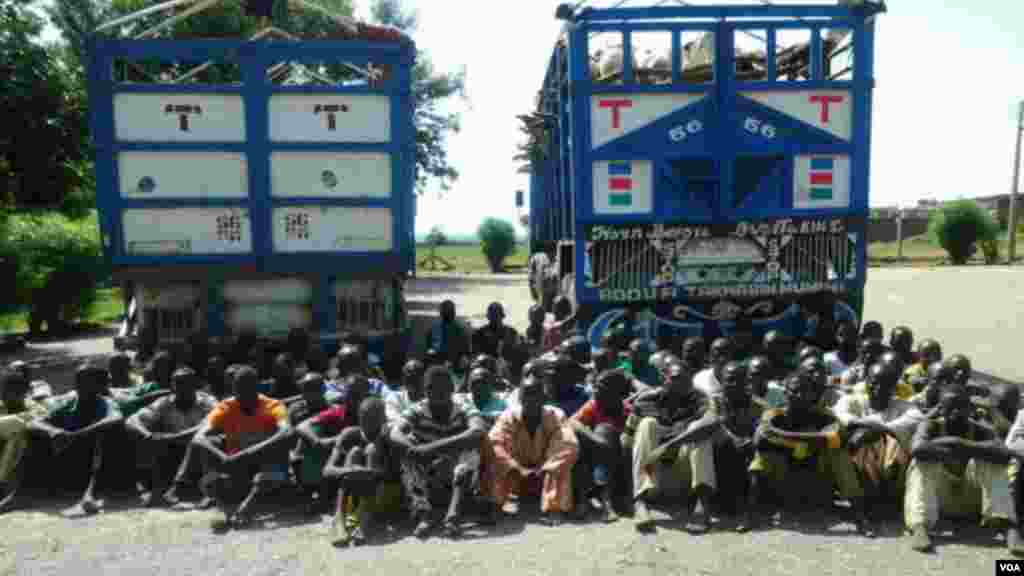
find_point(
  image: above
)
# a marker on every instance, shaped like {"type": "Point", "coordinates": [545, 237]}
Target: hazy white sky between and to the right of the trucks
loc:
{"type": "Point", "coordinates": [950, 75]}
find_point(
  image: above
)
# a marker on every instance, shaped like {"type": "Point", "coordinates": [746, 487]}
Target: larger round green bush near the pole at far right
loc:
{"type": "Point", "coordinates": [960, 227]}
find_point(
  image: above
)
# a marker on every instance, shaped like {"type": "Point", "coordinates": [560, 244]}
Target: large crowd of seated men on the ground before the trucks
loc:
{"type": "Point", "coordinates": [702, 431]}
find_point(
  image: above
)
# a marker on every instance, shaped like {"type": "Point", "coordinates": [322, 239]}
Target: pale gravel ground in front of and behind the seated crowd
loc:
{"type": "Point", "coordinates": [50, 540]}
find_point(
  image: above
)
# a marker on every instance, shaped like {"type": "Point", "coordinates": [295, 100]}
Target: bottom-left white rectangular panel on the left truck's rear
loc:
{"type": "Point", "coordinates": [187, 231]}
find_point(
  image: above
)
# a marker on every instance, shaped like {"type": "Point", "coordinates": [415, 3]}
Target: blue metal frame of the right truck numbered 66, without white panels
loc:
{"type": "Point", "coordinates": [722, 109]}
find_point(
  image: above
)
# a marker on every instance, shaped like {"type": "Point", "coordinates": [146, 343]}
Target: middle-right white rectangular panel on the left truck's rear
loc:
{"type": "Point", "coordinates": [331, 175]}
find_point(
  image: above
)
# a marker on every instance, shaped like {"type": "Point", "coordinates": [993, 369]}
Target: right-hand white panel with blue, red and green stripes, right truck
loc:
{"type": "Point", "coordinates": [822, 182]}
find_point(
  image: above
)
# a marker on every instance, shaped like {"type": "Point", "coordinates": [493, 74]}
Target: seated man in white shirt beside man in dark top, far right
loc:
{"type": "Point", "coordinates": [882, 430]}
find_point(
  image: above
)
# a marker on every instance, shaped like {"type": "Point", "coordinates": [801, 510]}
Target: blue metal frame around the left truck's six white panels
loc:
{"type": "Point", "coordinates": [254, 58]}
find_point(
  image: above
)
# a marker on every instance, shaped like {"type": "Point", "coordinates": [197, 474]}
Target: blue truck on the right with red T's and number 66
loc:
{"type": "Point", "coordinates": [706, 168]}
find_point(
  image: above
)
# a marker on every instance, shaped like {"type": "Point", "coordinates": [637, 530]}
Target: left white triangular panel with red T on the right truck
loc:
{"type": "Point", "coordinates": [614, 116]}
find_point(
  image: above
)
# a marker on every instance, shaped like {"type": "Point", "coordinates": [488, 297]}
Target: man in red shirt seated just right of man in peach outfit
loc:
{"type": "Point", "coordinates": [599, 426]}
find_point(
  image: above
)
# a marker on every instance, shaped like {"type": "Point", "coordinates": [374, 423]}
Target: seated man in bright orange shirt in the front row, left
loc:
{"type": "Point", "coordinates": [247, 440]}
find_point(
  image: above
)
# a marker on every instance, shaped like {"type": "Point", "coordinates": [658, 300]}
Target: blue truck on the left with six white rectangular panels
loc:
{"type": "Point", "coordinates": [252, 186]}
